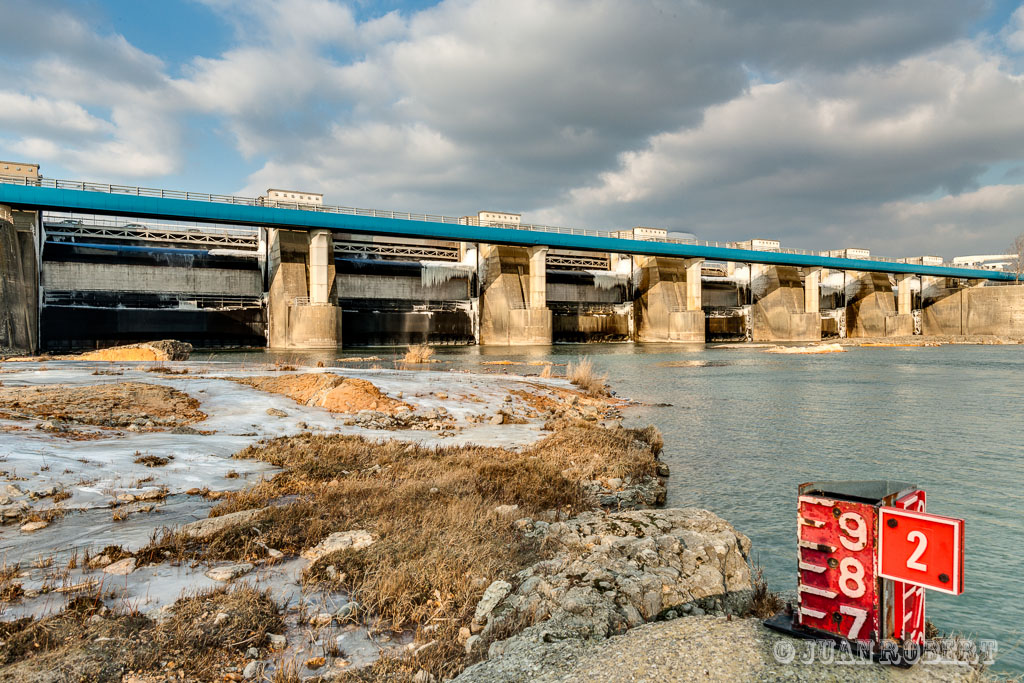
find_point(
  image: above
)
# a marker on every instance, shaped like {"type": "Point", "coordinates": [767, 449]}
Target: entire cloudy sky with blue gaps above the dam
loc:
{"type": "Point", "coordinates": [893, 126]}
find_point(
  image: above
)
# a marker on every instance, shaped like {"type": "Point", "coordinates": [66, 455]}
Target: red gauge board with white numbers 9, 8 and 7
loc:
{"type": "Point", "coordinates": [838, 591]}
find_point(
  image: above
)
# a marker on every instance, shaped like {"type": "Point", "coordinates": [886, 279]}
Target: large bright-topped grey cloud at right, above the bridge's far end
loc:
{"type": "Point", "coordinates": [810, 159]}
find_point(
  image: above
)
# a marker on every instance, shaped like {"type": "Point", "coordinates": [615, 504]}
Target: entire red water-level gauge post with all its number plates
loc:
{"type": "Point", "coordinates": [862, 546]}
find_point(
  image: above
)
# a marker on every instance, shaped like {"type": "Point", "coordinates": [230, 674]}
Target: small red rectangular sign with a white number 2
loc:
{"type": "Point", "coordinates": [922, 549]}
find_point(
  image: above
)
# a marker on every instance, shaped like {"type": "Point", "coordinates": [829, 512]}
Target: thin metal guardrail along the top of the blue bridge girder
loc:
{"type": "Point", "coordinates": [112, 189]}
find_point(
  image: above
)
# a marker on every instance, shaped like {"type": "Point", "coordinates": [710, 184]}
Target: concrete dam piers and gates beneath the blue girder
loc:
{"type": "Point", "coordinates": [84, 282]}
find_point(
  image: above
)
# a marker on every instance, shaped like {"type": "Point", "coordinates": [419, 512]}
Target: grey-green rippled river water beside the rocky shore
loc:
{"type": "Point", "coordinates": [746, 428]}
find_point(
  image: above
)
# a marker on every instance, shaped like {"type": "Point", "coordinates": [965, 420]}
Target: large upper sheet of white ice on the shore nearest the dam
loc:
{"type": "Point", "coordinates": [96, 473]}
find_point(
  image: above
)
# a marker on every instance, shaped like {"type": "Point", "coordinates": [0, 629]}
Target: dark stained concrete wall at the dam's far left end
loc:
{"type": "Point", "coordinates": [19, 293]}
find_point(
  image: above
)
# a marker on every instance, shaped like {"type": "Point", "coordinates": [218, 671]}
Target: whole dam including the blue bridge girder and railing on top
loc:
{"type": "Point", "coordinates": [95, 265]}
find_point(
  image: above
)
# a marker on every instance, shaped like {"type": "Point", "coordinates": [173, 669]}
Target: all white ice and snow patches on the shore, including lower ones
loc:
{"type": "Point", "coordinates": [102, 478]}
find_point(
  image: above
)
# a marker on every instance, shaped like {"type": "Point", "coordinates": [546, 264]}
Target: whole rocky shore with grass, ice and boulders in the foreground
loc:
{"type": "Point", "coordinates": [360, 532]}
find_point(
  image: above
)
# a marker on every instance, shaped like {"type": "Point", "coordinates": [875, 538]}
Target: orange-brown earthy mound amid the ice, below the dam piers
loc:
{"type": "Point", "coordinates": [334, 394]}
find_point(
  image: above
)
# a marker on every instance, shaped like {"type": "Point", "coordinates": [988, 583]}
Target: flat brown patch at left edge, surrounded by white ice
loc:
{"type": "Point", "coordinates": [109, 406]}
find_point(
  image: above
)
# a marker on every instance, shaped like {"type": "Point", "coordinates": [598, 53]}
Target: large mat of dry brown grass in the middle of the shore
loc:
{"type": "Point", "coordinates": [439, 541]}
